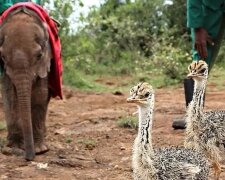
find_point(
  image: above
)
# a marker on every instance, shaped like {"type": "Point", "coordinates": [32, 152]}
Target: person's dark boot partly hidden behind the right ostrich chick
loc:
{"type": "Point", "coordinates": [179, 123]}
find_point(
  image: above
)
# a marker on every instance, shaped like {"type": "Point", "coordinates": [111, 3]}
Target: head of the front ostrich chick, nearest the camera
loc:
{"type": "Point", "coordinates": [141, 94]}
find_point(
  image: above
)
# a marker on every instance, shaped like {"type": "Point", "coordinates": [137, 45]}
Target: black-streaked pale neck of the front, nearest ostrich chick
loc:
{"type": "Point", "coordinates": [144, 159]}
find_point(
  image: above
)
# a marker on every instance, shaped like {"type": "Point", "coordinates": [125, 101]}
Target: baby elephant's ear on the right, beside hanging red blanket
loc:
{"type": "Point", "coordinates": [44, 62]}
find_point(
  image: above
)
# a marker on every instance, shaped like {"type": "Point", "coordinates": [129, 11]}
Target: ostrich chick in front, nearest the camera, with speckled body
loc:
{"type": "Point", "coordinates": [173, 163]}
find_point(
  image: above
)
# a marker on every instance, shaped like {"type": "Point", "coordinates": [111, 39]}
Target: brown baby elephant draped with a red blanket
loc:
{"type": "Point", "coordinates": [26, 56]}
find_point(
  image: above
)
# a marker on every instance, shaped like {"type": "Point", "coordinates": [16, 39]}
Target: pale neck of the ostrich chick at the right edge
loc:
{"type": "Point", "coordinates": [195, 109]}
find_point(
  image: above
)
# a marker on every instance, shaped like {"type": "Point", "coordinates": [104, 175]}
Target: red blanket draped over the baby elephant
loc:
{"type": "Point", "coordinates": [55, 76]}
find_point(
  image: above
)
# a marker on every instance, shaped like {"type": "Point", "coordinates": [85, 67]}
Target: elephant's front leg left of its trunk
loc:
{"type": "Point", "coordinates": [10, 104]}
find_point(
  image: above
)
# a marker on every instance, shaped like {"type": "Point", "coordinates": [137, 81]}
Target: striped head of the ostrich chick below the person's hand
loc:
{"type": "Point", "coordinates": [198, 70]}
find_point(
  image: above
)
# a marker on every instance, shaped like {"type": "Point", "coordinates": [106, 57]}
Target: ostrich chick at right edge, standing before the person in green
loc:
{"type": "Point", "coordinates": [205, 131]}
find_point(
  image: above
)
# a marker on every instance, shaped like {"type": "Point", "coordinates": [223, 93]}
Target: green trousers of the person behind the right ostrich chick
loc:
{"type": "Point", "coordinates": [215, 29]}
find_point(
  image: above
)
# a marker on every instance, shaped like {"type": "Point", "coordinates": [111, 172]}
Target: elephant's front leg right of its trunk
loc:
{"type": "Point", "coordinates": [39, 106]}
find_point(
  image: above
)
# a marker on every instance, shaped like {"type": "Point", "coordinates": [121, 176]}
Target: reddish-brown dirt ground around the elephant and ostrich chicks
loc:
{"type": "Point", "coordinates": [85, 141]}
